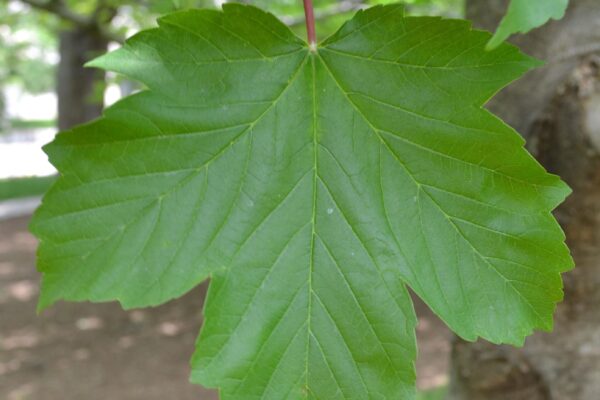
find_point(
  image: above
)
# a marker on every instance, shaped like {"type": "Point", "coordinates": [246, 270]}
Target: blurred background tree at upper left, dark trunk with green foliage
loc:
{"type": "Point", "coordinates": [84, 30]}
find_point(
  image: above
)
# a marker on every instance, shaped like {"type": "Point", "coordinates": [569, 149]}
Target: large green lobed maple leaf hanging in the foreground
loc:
{"type": "Point", "coordinates": [312, 188]}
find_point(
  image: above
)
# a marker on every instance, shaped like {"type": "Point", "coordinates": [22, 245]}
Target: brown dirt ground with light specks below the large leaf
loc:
{"type": "Point", "coordinates": [98, 351]}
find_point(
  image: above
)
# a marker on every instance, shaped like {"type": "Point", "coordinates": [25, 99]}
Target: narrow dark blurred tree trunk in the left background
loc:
{"type": "Point", "coordinates": [80, 90]}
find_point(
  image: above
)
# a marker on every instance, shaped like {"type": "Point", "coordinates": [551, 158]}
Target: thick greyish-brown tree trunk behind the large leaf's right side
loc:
{"type": "Point", "coordinates": [557, 108]}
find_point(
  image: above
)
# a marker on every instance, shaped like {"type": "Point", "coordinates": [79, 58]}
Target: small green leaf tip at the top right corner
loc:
{"type": "Point", "coordinates": [524, 15]}
